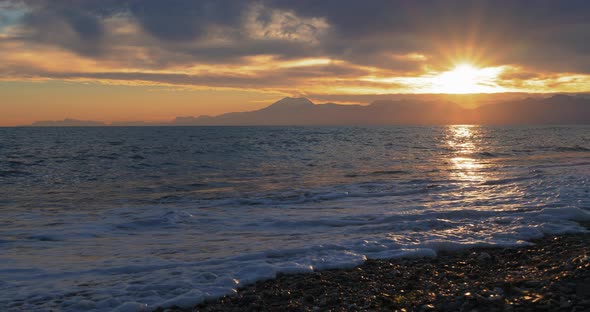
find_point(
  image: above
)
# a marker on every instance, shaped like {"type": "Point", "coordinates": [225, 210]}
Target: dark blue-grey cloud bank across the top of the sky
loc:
{"type": "Point", "coordinates": [543, 34]}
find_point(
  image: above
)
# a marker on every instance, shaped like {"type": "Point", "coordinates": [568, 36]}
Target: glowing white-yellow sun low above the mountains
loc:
{"type": "Point", "coordinates": [466, 78]}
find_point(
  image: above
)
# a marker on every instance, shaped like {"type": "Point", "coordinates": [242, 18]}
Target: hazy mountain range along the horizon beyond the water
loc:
{"type": "Point", "coordinates": [556, 109]}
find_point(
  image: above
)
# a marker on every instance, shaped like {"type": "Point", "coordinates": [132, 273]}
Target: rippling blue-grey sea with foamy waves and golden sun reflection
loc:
{"type": "Point", "coordinates": [135, 218]}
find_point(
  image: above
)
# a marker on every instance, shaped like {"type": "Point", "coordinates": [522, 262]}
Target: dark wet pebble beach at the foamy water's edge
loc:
{"type": "Point", "coordinates": [552, 274]}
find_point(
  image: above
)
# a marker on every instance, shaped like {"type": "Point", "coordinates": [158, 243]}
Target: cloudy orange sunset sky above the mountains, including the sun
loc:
{"type": "Point", "coordinates": [152, 60]}
